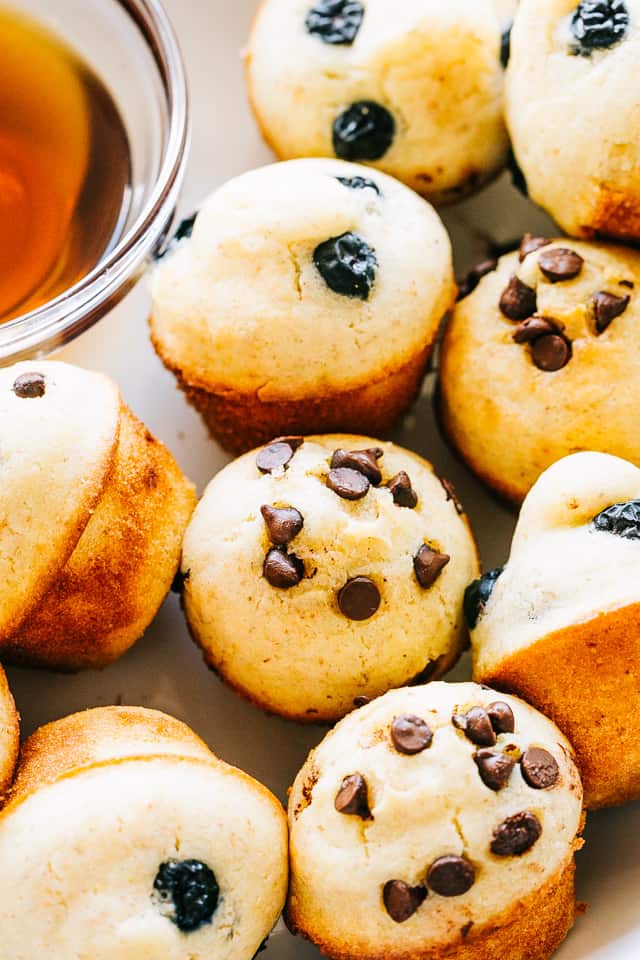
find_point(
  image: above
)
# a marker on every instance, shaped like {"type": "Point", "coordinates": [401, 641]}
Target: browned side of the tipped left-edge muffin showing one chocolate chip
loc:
{"type": "Point", "coordinates": [122, 567]}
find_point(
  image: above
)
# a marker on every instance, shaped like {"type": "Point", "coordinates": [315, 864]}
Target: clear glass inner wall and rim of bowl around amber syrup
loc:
{"type": "Point", "coordinates": [131, 46]}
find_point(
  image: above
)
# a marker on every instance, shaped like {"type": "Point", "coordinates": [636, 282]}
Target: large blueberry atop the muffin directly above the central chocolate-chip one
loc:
{"type": "Point", "coordinates": [347, 265]}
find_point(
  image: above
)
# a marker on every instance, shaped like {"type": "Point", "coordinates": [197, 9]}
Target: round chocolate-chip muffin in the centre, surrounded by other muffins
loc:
{"type": "Point", "coordinates": [322, 572]}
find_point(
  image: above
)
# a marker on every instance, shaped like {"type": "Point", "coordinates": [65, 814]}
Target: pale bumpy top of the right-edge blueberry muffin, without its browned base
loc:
{"type": "Point", "coordinates": [575, 555]}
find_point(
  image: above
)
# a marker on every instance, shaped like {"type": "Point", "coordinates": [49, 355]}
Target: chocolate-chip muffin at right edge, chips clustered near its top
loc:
{"type": "Point", "coordinates": [531, 358]}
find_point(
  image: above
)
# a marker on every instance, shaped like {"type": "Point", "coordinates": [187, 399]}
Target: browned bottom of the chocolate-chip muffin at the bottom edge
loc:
{"type": "Point", "coordinates": [532, 929]}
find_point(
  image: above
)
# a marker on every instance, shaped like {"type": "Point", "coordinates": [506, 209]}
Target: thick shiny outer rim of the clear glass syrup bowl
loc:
{"type": "Point", "coordinates": [75, 310]}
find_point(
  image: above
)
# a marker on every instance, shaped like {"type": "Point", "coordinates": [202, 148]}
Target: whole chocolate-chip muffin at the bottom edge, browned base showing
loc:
{"type": "Point", "coordinates": [436, 823]}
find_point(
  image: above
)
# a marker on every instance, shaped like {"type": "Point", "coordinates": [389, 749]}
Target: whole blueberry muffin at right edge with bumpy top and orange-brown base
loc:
{"type": "Point", "coordinates": [560, 625]}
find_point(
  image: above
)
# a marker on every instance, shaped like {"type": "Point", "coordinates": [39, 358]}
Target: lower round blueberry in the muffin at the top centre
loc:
{"type": "Point", "coordinates": [364, 131]}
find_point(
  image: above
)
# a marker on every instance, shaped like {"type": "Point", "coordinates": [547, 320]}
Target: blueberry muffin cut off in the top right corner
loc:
{"type": "Point", "coordinates": [573, 109]}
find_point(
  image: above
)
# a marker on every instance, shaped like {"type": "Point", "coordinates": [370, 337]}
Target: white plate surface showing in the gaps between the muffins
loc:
{"type": "Point", "coordinates": [165, 670]}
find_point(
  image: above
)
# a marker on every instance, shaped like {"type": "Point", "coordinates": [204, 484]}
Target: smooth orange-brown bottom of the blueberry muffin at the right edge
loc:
{"type": "Point", "coordinates": [586, 678]}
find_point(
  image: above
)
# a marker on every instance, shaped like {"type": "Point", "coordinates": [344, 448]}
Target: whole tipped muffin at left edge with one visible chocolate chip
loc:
{"type": "Point", "coordinates": [92, 514]}
